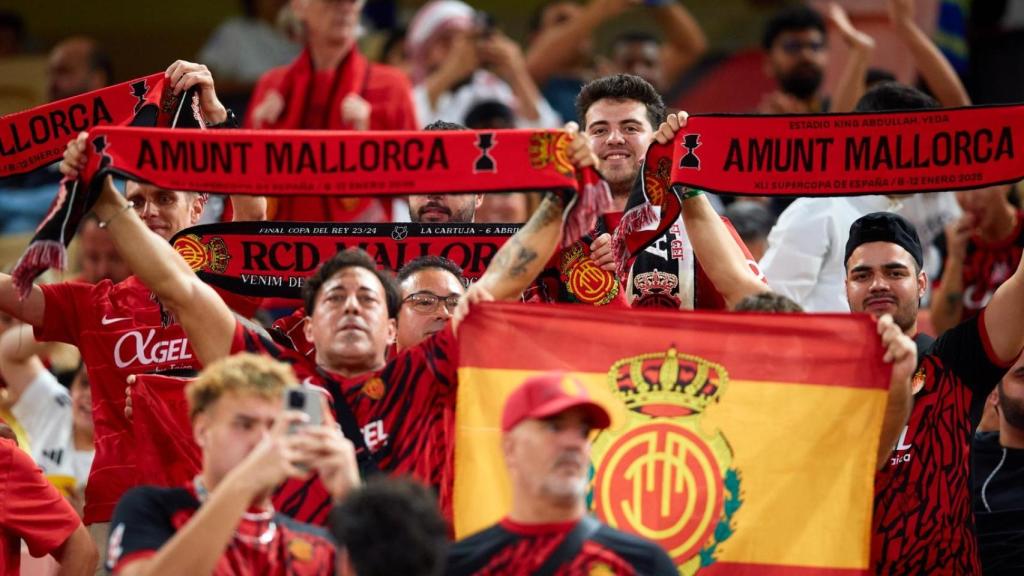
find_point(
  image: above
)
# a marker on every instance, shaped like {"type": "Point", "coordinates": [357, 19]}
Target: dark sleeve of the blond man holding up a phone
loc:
{"type": "Point", "coordinates": [143, 523]}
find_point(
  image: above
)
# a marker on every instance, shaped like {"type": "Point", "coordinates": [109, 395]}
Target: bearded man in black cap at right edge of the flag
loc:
{"type": "Point", "coordinates": [923, 522]}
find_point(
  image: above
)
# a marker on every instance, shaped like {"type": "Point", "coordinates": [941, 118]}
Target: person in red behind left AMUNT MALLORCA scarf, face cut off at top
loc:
{"type": "Point", "coordinates": [332, 87]}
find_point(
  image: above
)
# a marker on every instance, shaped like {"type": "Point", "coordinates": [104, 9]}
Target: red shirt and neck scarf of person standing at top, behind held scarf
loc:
{"type": "Point", "coordinates": [313, 102]}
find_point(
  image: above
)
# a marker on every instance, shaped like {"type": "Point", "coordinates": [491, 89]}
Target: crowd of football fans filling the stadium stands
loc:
{"type": "Point", "coordinates": [357, 476]}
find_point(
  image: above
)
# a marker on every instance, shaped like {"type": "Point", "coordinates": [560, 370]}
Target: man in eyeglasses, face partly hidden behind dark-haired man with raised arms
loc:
{"type": "Point", "coordinates": [431, 287]}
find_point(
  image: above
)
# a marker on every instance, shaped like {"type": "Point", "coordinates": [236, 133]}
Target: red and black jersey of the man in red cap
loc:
{"type": "Point", "coordinates": [510, 548]}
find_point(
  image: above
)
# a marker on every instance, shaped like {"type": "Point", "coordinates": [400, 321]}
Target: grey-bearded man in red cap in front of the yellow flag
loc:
{"type": "Point", "coordinates": [546, 427]}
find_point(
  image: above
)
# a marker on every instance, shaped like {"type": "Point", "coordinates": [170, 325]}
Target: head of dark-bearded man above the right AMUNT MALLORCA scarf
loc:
{"type": "Point", "coordinates": [796, 55]}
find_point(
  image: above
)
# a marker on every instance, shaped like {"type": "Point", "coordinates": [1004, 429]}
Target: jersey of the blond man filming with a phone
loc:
{"type": "Point", "coordinates": [265, 544]}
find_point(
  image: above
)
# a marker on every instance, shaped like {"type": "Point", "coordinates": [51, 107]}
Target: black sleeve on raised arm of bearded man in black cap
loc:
{"type": "Point", "coordinates": [965, 350]}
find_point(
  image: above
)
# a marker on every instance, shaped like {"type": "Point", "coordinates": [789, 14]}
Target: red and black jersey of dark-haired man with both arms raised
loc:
{"type": "Point", "coordinates": [404, 412]}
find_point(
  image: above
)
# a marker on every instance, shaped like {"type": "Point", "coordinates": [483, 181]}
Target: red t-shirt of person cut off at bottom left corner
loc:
{"type": "Point", "coordinates": [31, 510]}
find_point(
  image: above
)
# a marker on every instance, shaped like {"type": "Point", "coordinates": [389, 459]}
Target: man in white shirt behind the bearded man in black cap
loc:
{"type": "Point", "coordinates": [805, 254]}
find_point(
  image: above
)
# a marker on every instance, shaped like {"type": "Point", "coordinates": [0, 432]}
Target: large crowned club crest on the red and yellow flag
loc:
{"type": "Point", "coordinates": [663, 475]}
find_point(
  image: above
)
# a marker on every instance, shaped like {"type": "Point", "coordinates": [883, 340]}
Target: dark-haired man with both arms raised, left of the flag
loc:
{"type": "Point", "coordinates": [393, 409]}
